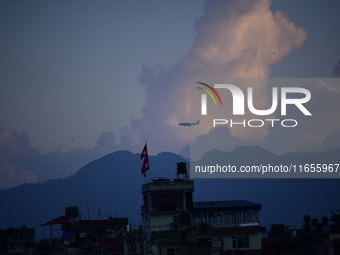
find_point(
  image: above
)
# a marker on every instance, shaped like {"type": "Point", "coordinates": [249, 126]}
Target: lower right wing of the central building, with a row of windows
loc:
{"type": "Point", "coordinates": [232, 225]}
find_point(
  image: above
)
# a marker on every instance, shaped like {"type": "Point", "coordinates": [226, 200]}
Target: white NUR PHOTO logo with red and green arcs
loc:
{"type": "Point", "coordinates": [295, 96]}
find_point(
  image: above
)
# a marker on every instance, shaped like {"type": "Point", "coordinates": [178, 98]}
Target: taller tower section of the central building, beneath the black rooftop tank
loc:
{"type": "Point", "coordinates": [166, 202]}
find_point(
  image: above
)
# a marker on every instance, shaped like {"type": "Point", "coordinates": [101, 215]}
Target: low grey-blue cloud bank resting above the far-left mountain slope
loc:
{"type": "Point", "coordinates": [20, 163]}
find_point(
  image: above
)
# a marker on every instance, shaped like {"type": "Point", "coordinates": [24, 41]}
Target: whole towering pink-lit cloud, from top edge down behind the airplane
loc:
{"type": "Point", "coordinates": [239, 38]}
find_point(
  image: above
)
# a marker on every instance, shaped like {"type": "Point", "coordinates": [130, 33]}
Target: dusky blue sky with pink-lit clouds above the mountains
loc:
{"type": "Point", "coordinates": [81, 79]}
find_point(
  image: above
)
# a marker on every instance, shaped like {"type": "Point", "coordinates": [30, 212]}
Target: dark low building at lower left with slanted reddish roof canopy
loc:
{"type": "Point", "coordinates": [90, 236]}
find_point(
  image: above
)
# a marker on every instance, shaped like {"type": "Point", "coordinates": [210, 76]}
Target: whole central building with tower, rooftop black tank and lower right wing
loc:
{"type": "Point", "coordinates": [174, 224]}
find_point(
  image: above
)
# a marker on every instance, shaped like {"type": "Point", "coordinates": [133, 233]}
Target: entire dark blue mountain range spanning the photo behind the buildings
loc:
{"type": "Point", "coordinates": [113, 184]}
